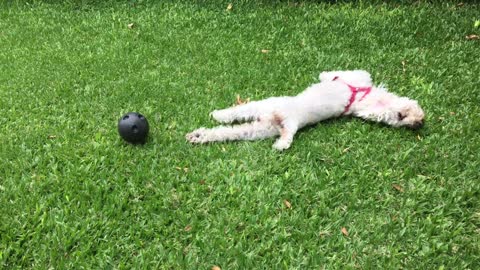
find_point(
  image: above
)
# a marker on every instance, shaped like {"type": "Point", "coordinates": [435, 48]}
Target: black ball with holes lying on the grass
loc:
{"type": "Point", "coordinates": [133, 127]}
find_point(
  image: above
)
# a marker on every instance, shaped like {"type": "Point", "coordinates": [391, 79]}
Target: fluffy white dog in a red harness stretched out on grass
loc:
{"type": "Point", "coordinates": [338, 93]}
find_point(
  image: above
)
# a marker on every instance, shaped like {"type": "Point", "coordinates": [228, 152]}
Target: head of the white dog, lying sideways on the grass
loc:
{"type": "Point", "coordinates": [407, 113]}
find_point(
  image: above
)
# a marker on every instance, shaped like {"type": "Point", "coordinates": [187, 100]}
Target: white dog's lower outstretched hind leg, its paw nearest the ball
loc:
{"type": "Point", "coordinates": [260, 129]}
